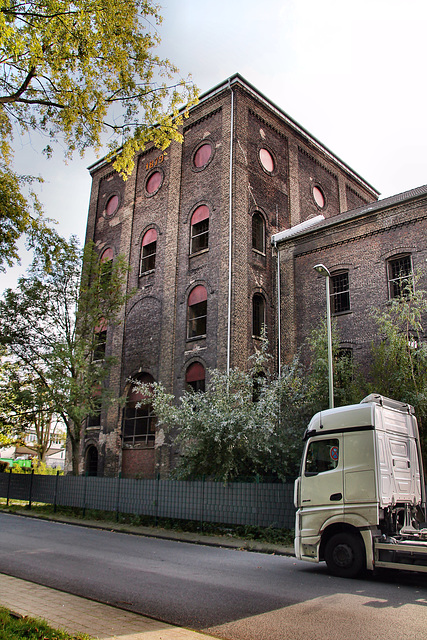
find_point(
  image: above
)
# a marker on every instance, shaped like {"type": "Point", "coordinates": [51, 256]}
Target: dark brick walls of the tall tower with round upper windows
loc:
{"type": "Point", "coordinates": [165, 190]}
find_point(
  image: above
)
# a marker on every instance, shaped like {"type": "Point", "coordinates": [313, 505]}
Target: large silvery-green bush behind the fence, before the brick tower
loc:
{"type": "Point", "coordinates": [245, 423]}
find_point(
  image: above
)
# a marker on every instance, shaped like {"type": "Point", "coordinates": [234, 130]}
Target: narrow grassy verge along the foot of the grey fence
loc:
{"type": "Point", "coordinates": [270, 535]}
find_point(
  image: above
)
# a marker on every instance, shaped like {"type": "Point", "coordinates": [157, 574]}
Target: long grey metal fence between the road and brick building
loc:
{"type": "Point", "coordinates": [239, 503]}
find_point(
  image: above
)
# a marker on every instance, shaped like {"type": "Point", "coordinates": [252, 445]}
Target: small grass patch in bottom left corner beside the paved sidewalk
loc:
{"type": "Point", "coordinates": [13, 627]}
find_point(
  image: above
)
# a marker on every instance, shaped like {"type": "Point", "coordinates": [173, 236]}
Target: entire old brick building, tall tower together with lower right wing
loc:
{"type": "Point", "coordinates": [195, 224]}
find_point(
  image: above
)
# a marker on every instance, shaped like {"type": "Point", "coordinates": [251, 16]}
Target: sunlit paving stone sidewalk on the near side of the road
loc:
{"type": "Point", "coordinates": [78, 615]}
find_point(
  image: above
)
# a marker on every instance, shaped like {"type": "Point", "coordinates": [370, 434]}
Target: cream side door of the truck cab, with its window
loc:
{"type": "Point", "coordinates": [321, 490]}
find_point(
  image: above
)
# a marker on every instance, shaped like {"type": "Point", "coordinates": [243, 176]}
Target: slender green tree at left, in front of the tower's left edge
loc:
{"type": "Point", "coordinates": [51, 326]}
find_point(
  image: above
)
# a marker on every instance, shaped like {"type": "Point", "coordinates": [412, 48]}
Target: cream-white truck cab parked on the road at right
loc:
{"type": "Point", "coordinates": [360, 497]}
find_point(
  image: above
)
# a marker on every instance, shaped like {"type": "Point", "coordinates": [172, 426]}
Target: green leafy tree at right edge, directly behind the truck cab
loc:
{"type": "Point", "coordinates": [399, 355]}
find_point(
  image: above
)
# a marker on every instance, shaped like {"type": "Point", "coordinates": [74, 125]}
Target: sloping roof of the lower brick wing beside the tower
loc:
{"type": "Point", "coordinates": [318, 223]}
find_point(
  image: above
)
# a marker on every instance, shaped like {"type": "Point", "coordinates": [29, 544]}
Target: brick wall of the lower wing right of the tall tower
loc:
{"type": "Point", "coordinates": [360, 242]}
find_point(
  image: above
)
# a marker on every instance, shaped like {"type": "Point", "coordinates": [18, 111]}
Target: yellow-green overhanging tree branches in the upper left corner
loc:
{"type": "Point", "coordinates": [77, 71]}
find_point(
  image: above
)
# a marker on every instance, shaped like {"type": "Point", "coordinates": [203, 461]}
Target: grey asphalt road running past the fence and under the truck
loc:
{"type": "Point", "coordinates": [232, 594]}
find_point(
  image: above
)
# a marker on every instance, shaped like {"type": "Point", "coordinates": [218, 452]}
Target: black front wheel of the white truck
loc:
{"type": "Point", "coordinates": [345, 555]}
